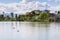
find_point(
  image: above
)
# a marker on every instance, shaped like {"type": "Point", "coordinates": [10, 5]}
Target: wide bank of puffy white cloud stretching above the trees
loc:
{"type": "Point", "coordinates": [23, 7]}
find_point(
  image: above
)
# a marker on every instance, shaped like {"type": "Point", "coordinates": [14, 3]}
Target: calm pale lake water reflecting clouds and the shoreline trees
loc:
{"type": "Point", "coordinates": [29, 31]}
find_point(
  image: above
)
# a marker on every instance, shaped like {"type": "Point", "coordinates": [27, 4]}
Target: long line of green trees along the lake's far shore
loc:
{"type": "Point", "coordinates": [30, 16]}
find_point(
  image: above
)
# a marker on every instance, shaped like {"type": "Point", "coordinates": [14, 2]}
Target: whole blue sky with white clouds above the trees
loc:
{"type": "Point", "coordinates": [22, 6]}
